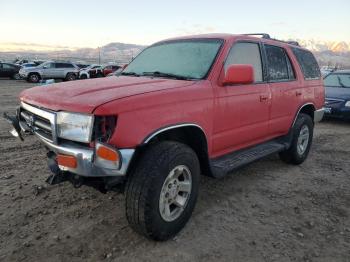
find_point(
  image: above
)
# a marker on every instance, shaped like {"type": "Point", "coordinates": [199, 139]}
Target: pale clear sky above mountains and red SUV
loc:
{"type": "Point", "coordinates": [47, 24]}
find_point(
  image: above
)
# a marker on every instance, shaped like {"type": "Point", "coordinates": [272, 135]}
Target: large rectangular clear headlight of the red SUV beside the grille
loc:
{"type": "Point", "coordinates": [73, 126]}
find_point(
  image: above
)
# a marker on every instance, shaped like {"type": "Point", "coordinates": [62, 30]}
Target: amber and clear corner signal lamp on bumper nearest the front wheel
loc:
{"type": "Point", "coordinates": [107, 156]}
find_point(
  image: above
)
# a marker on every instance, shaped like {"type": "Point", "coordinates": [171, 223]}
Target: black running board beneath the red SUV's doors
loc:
{"type": "Point", "coordinates": [224, 165]}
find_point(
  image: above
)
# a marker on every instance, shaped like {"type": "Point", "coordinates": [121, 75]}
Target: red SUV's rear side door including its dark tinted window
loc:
{"type": "Point", "coordinates": [285, 89]}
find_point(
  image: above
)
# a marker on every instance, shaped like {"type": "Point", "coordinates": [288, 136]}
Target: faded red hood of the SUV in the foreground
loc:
{"type": "Point", "coordinates": [85, 95]}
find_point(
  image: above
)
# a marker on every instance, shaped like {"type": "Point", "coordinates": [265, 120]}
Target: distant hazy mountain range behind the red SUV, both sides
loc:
{"type": "Point", "coordinates": [329, 53]}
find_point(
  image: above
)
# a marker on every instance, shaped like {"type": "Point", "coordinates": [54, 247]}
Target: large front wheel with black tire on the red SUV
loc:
{"type": "Point", "coordinates": [149, 183]}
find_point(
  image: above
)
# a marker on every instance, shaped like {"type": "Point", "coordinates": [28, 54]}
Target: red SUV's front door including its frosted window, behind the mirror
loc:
{"type": "Point", "coordinates": [241, 111]}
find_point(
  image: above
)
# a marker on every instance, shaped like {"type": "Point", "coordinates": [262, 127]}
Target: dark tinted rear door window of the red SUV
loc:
{"type": "Point", "coordinates": [278, 68]}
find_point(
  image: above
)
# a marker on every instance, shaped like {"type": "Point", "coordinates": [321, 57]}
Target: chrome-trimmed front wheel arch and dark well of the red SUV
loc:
{"type": "Point", "coordinates": [190, 134]}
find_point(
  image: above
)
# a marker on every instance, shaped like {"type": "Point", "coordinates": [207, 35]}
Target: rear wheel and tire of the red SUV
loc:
{"type": "Point", "coordinates": [301, 141]}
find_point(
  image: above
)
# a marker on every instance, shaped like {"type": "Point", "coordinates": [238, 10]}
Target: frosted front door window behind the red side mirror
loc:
{"type": "Point", "coordinates": [246, 53]}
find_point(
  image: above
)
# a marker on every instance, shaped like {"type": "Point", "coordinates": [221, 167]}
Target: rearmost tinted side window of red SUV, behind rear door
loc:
{"type": "Point", "coordinates": [308, 63]}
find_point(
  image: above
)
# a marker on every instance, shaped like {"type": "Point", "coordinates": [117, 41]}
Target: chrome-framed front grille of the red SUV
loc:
{"type": "Point", "coordinates": [40, 121]}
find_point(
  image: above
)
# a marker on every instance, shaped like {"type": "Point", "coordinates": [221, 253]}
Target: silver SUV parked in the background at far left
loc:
{"type": "Point", "coordinates": [55, 70]}
